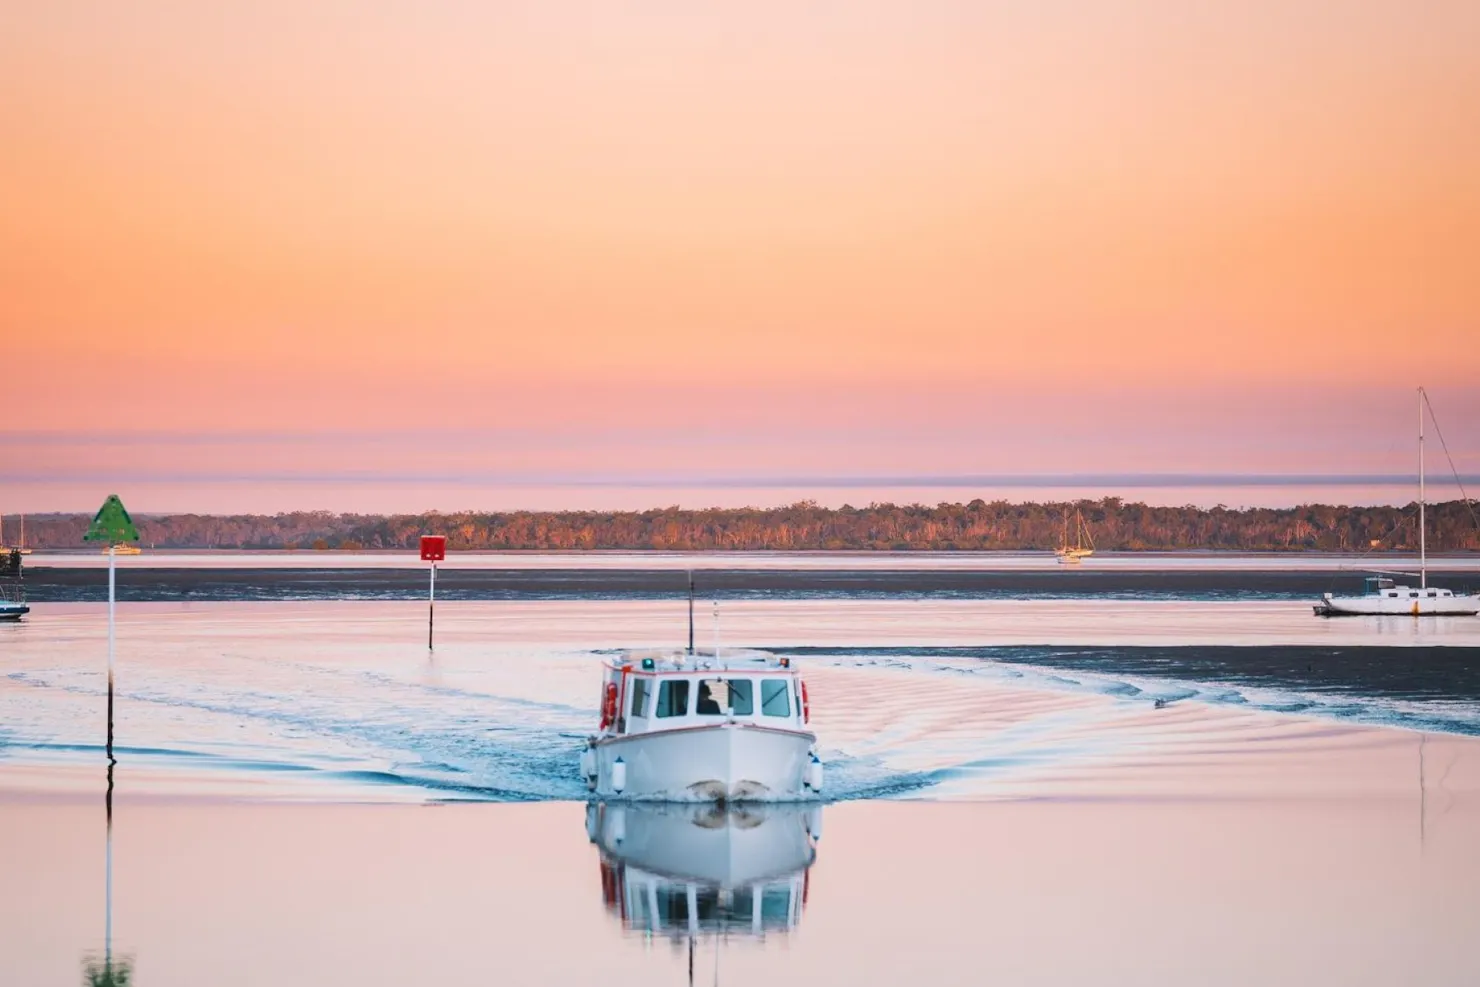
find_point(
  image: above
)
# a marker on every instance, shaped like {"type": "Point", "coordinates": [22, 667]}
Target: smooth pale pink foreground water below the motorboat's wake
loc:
{"type": "Point", "coordinates": [1025, 893]}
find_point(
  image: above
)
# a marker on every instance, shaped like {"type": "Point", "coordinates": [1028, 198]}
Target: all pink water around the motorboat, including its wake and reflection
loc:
{"type": "Point", "coordinates": [304, 795]}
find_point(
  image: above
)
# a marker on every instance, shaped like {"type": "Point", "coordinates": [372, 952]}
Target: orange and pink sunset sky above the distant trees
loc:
{"type": "Point", "coordinates": [451, 255]}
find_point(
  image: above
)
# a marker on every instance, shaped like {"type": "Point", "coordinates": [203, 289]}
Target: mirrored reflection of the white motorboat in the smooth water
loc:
{"type": "Point", "coordinates": [693, 871]}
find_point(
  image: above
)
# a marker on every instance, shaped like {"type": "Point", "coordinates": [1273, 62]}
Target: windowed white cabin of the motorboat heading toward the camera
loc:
{"type": "Point", "coordinates": [652, 692]}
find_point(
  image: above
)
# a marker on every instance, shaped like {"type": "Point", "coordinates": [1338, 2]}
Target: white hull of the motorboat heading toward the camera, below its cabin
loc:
{"type": "Point", "coordinates": [721, 763]}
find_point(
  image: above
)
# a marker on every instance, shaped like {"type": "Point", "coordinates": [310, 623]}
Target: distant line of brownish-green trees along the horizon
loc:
{"type": "Point", "coordinates": [1114, 525]}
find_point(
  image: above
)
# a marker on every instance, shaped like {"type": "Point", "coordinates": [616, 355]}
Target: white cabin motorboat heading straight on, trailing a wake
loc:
{"type": "Point", "coordinates": [723, 727]}
